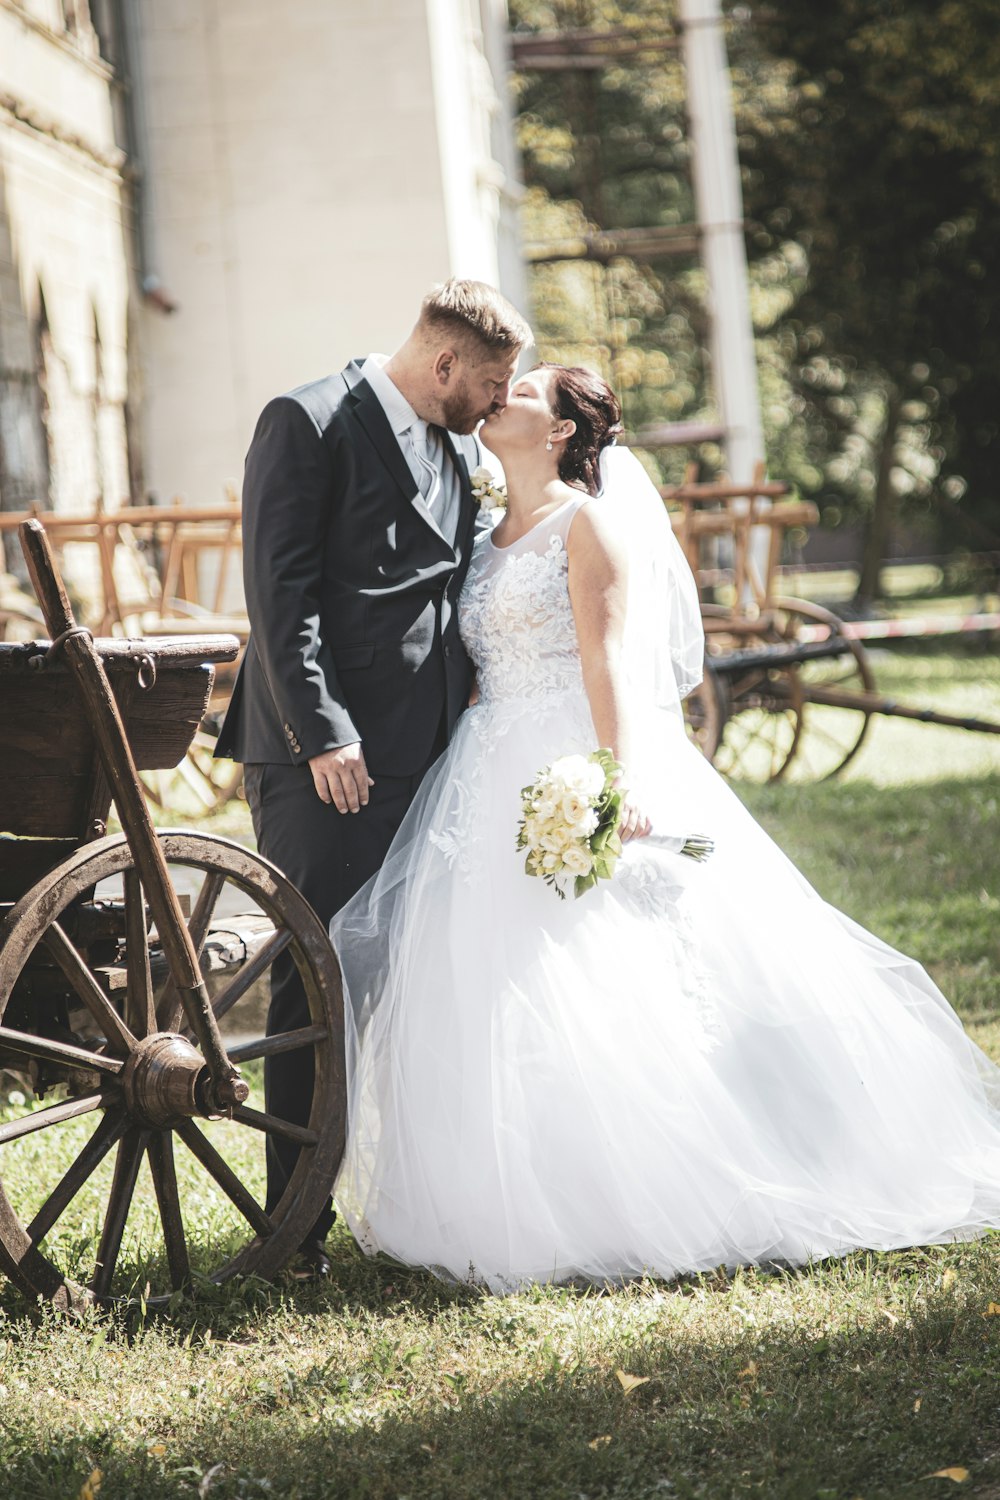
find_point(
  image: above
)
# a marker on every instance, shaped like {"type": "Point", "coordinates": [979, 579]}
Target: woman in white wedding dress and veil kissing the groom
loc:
{"type": "Point", "coordinates": [692, 1064]}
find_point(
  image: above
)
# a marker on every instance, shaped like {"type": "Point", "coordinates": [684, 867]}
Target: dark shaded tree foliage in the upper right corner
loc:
{"type": "Point", "coordinates": [884, 166]}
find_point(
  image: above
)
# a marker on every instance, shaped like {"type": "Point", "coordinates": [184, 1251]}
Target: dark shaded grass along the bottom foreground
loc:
{"type": "Point", "coordinates": [869, 1411]}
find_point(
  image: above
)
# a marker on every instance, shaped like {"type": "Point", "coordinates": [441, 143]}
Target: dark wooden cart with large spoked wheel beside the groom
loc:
{"type": "Point", "coordinates": [131, 997]}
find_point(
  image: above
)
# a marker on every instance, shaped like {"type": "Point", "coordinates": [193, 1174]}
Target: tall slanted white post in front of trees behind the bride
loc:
{"type": "Point", "coordinates": [720, 211]}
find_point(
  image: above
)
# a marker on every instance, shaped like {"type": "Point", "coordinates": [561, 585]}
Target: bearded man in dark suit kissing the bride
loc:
{"type": "Point", "coordinates": [358, 529]}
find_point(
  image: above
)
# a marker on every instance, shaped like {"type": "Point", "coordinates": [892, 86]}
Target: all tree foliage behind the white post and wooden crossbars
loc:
{"type": "Point", "coordinates": [870, 145]}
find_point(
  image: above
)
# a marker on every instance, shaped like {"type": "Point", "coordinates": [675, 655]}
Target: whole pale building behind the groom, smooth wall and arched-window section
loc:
{"type": "Point", "coordinates": [208, 202]}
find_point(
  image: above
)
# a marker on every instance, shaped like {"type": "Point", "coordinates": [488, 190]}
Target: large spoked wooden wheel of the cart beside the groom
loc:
{"type": "Point", "coordinates": [136, 1072]}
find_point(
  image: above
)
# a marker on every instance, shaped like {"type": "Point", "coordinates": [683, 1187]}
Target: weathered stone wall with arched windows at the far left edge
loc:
{"type": "Point", "coordinates": [65, 277]}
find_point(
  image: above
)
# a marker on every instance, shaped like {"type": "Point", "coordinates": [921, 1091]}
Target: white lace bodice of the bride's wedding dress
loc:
{"type": "Point", "coordinates": [515, 614]}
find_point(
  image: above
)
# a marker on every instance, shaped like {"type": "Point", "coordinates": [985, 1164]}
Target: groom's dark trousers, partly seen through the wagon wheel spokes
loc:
{"type": "Point", "coordinates": [329, 857]}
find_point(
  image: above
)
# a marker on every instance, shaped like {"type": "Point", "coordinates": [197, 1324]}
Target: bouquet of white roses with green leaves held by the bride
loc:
{"type": "Point", "coordinates": [570, 824]}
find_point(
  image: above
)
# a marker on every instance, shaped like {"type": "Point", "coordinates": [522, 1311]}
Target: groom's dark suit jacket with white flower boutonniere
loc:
{"type": "Point", "coordinates": [352, 590]}
